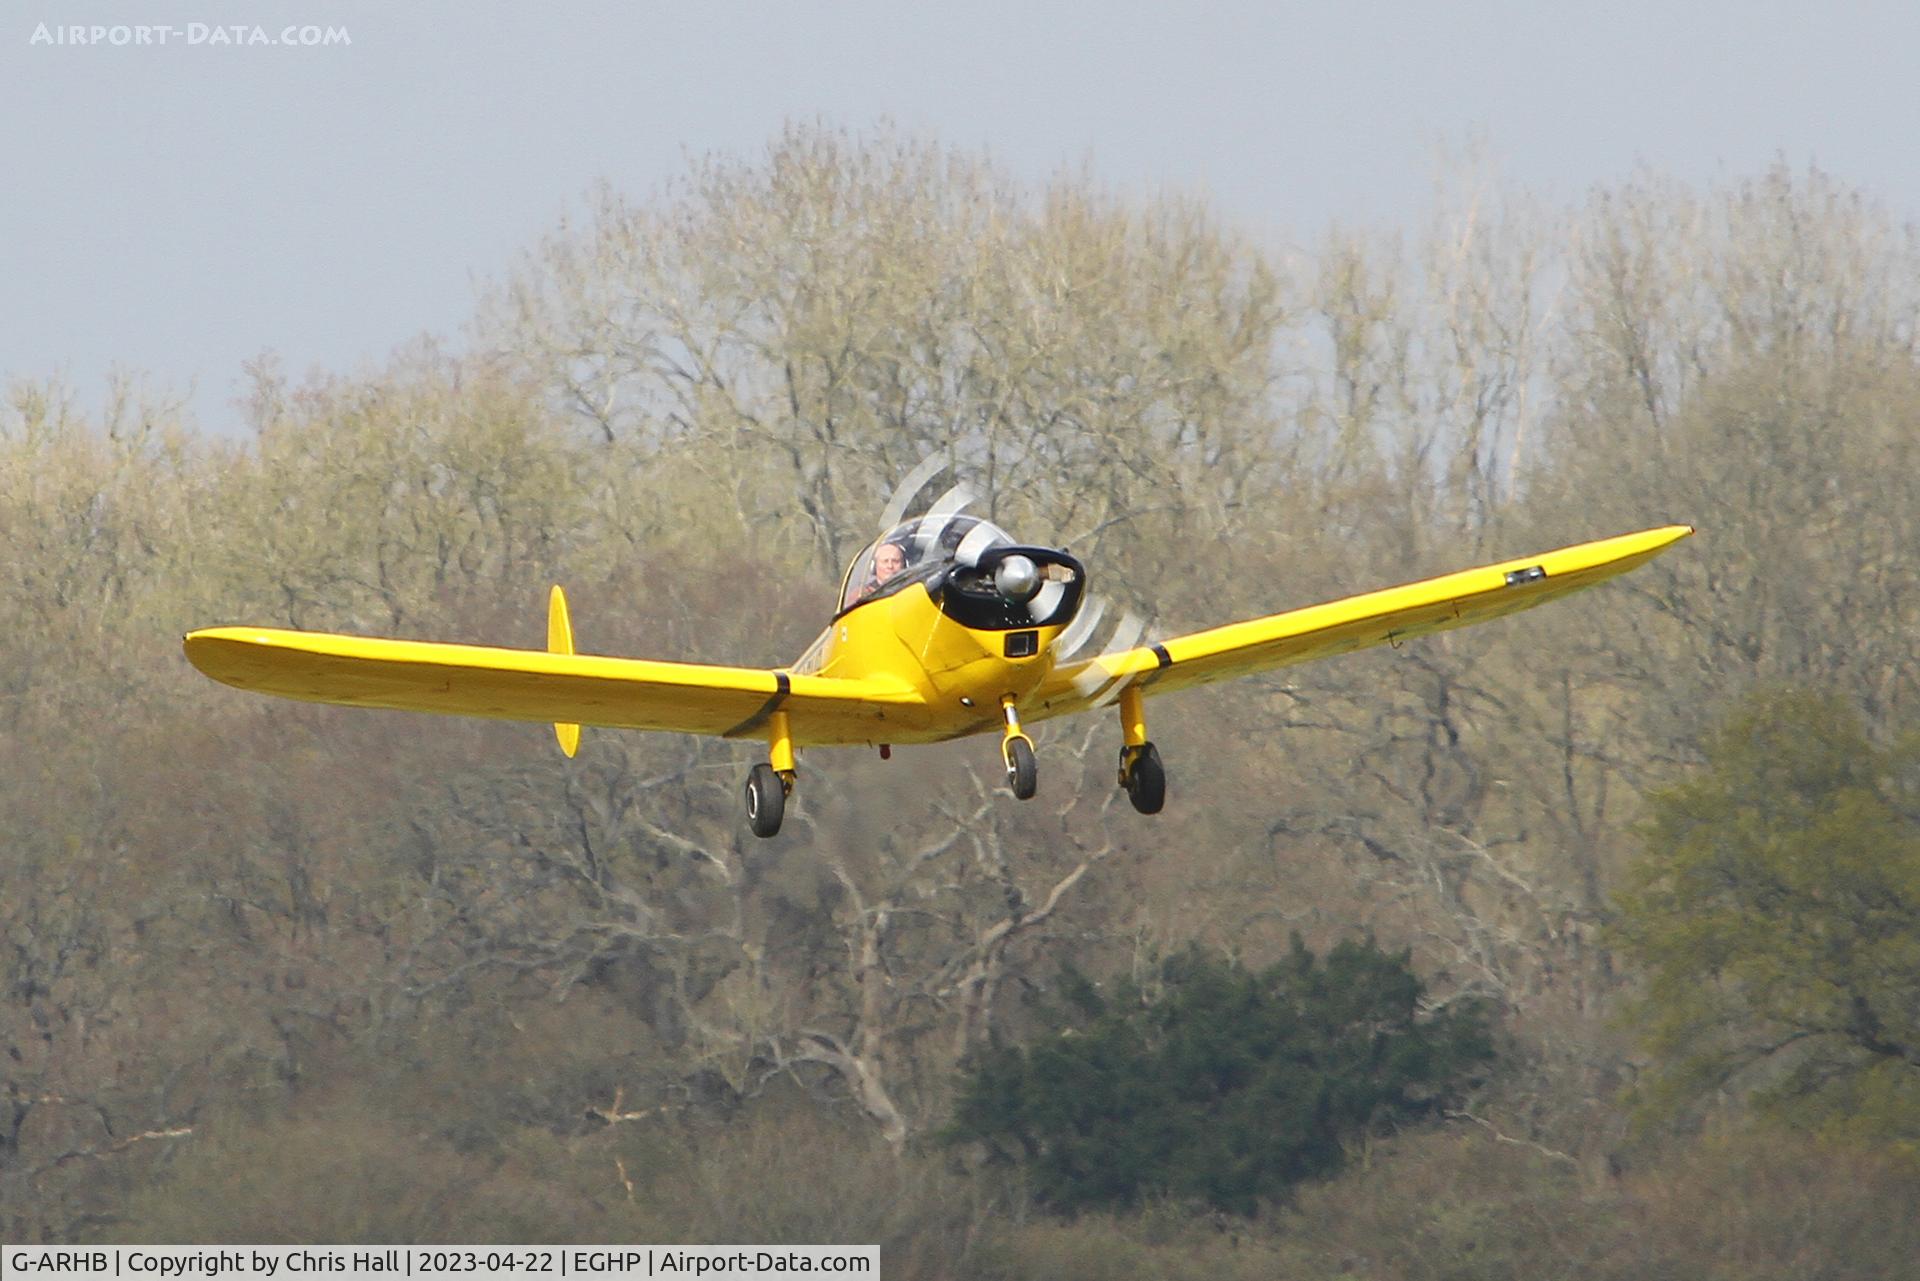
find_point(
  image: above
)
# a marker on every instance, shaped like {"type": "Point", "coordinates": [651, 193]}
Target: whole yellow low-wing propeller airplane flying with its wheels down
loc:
{"type": "Point", "coordinates": [946, 629]}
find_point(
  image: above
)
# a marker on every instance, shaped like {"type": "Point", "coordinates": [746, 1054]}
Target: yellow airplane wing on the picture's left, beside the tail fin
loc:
{"type": "Point", "coordinates": [529, 685]}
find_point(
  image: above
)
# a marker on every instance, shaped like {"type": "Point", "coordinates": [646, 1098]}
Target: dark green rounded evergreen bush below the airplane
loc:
{"type": "Point", "coordinates": [1220, 1084]}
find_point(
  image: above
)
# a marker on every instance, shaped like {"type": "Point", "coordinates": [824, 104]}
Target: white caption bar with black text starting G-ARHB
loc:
{"type": "Point", "coordinates": [460, 1263]}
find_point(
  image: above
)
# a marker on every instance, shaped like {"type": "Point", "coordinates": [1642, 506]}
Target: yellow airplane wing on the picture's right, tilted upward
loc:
{"type": "Point", "coordinates": [1355, 623]}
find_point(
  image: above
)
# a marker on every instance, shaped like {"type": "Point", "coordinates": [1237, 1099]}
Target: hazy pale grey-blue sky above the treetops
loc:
{"type": "Point", "coordinates": [180, 208]}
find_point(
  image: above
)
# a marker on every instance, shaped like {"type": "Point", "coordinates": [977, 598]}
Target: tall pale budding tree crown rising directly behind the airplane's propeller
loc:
{"type": "Point", "coordinates": [809, 324]}
